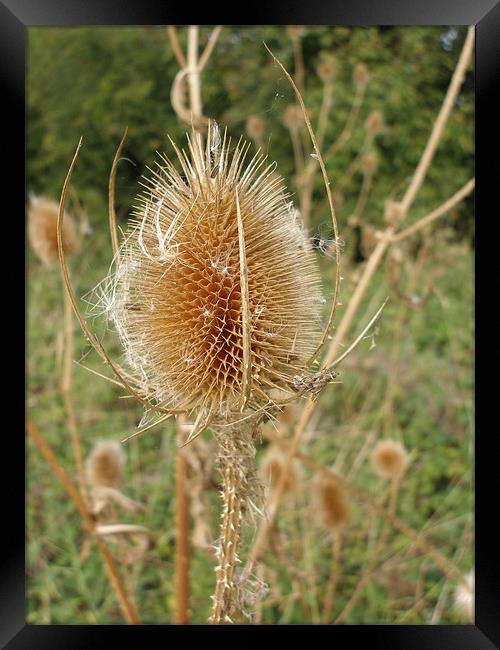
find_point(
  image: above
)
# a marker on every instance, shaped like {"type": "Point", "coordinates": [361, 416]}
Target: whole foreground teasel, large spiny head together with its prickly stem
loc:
{"type": "Point", "coordinates": [239, 389]}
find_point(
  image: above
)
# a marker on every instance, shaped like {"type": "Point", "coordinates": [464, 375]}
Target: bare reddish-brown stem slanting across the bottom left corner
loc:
{"type": "Point", "coordinates": [127, 607]}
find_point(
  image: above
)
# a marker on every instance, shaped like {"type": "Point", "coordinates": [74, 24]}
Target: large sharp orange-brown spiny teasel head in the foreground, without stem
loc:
{"type": "Point", "coordinates": [216, 296]}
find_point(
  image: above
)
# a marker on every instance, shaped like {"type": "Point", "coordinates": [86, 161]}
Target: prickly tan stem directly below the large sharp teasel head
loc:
{"type": "Point", "coordinates": [236, 460]}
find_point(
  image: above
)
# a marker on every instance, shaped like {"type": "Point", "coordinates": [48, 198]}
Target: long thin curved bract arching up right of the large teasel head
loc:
{"type": "Point", "coordinates": [317, 151]}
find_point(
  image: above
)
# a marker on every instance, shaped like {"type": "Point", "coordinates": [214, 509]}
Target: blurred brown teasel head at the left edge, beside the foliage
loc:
{"type": "Point", "coordinates": [42, 230]}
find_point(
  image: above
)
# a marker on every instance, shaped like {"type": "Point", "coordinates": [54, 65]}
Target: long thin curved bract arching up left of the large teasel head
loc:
{"type": "Point", "coordinates": [96, 344]}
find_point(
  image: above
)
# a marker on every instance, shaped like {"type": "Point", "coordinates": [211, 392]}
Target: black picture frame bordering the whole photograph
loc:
{"type": "Point", "coordinates": [15, 17]}
